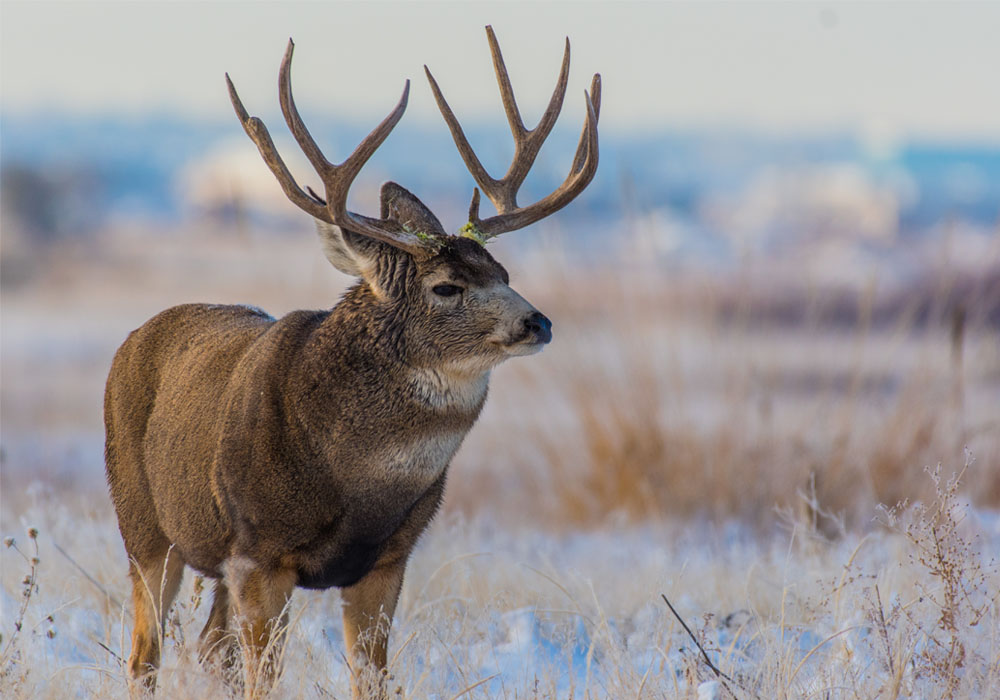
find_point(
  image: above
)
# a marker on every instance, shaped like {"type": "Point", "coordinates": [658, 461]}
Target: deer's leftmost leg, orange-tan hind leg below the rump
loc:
{"type": "Point", "coordinates": [155, 581]}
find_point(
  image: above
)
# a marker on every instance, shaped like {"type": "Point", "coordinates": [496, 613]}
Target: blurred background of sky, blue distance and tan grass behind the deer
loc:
{"type": "Point", "coordinates": [780, 294]}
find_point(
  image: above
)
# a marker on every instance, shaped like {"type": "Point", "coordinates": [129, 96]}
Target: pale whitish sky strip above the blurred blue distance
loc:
{"type": "Point", "coordinates": [928, 70]}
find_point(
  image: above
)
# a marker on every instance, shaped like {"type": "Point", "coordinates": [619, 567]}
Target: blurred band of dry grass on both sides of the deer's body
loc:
{"type": "Point", "coordinates": [663, 394]}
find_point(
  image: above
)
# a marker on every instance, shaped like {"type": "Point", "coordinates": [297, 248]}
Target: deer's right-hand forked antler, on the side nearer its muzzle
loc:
{"type": "Point", "coordinates": [503, 192]}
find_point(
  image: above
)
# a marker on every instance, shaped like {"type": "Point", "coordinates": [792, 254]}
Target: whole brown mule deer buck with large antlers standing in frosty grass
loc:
{"type": "Point", "coordinates": [312, 450]}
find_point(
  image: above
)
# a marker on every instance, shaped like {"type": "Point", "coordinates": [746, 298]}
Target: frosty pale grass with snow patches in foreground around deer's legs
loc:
{"type": "Point", "coordinates": [909, 610]}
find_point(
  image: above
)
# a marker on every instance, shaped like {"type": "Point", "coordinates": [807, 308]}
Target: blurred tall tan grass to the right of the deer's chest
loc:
{"type": "Point", "coordinates": [657, 400]}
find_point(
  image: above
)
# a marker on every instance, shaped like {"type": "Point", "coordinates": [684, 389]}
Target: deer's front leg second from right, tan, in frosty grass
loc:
{"type": "Point", "coordinates": [259, 599]}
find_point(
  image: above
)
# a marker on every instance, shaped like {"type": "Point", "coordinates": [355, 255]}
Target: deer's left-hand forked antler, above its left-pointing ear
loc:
{"type": "Point", "coordinates": [337, 179]}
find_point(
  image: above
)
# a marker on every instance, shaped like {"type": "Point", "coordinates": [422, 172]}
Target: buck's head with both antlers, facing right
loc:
{"type": "Point", "coordinates": [460, 309]}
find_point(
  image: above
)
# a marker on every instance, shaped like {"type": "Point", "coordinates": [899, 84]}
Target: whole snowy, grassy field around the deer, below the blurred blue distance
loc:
{"type": "Point", "coordinates": [809, 474]}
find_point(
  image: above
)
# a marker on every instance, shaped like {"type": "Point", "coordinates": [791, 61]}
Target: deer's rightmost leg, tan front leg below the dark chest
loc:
{"type": "Point", "coordinates": [368, 609]}
